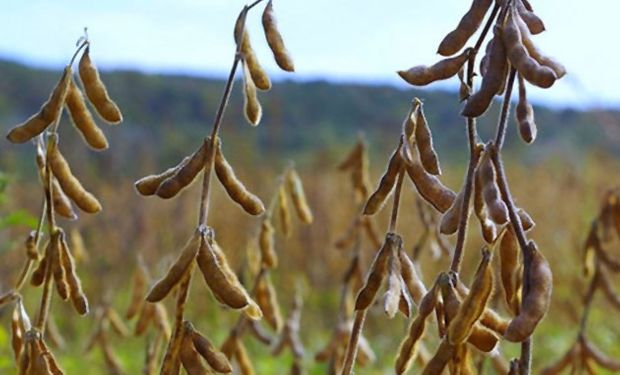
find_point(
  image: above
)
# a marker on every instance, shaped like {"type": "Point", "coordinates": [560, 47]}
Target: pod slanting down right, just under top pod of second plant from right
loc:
{"type": "Point", "coordinates": [430, 187]}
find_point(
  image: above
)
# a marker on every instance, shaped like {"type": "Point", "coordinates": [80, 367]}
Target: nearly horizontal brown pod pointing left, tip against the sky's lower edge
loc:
{"type": "Point", "coordinates": [422, 75]}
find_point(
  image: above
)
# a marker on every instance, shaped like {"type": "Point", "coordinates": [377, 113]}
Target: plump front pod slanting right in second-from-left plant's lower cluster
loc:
{"type": "Point", "coordinates": [219, 277]}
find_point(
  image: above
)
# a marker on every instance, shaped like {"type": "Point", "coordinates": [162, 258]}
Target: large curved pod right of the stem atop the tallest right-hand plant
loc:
{"type": "Point", "coordinates": [532, 71]}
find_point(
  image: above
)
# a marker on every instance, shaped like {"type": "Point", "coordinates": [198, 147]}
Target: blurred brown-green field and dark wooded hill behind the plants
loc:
{"type": "Point", "coordinates": [559, 181]}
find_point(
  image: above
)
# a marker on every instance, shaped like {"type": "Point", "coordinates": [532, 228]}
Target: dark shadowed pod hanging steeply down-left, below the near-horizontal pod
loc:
{"type": "Point", "coordinates": [480, 101]}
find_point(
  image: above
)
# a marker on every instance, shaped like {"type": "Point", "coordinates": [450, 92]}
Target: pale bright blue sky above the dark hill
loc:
{"type": "Point", "coordinates": [337, 40]}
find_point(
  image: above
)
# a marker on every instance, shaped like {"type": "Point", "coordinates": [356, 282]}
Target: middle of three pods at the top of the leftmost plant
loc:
{"type": "Point", "coordinates": [82, 119]}
